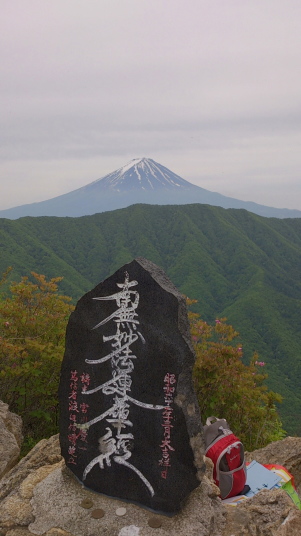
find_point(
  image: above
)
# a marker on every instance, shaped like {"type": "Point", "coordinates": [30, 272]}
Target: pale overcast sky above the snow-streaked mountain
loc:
{"type": "Point", "coordinates": [210, 89]}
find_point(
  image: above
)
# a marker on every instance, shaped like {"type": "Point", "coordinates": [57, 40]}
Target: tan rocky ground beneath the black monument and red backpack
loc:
{"type": "Point", "coordinates": [40, 496]}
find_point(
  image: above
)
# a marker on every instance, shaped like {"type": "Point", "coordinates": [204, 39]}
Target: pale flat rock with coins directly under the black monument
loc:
{"type": "Point", "coordinates": [59, 501]}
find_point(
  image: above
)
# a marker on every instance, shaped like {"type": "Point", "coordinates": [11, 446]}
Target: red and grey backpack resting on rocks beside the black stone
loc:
{"type": "Point", "coordinates": [227, 453]}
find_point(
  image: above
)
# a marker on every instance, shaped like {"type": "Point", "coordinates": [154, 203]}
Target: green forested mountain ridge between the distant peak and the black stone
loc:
{"type": "Point", "coordinates": [235, 263]}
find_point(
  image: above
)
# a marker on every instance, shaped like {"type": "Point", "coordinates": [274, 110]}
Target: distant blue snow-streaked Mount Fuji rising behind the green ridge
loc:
{"type": "Point", "coordinates": [140, 181]}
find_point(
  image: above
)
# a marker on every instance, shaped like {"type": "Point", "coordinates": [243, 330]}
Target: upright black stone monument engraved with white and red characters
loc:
{"type": "Point", "coordinates": [130, 426]}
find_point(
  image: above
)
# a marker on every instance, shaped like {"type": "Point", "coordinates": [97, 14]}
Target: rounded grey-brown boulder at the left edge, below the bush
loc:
{"type": "Point", "coordinates": [10, 438]}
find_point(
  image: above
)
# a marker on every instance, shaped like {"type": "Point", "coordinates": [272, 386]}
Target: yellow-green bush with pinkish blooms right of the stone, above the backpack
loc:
{"type": "Point", "coordinates": [228, 388]}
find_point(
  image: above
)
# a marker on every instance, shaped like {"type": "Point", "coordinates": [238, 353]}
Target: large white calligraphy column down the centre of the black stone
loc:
{"type": "Point", "coordinates": [116, 444]}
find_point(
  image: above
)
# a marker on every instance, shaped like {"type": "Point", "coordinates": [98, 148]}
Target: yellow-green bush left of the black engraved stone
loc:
{"type": "Point", "coordinates": [32, 335]}
